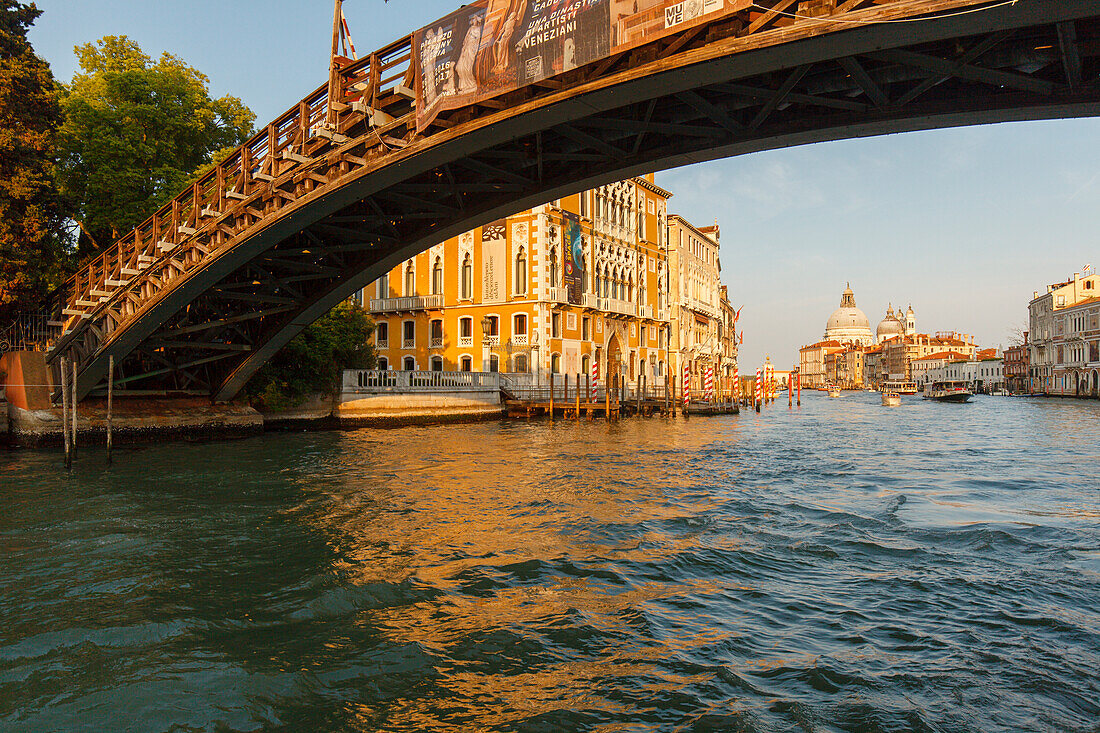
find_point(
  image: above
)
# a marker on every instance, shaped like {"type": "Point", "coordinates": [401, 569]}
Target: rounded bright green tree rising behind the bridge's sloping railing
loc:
{"type": "Point", "coordinates": [137, 132]}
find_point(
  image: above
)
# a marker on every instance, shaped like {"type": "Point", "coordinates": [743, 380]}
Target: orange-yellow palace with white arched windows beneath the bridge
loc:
{"type": "Point", "coordinates": [553, 289]}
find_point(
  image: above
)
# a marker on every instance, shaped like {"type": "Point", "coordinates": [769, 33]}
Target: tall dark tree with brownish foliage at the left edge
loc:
{"type": "Point", "coordinates": [32, 249]}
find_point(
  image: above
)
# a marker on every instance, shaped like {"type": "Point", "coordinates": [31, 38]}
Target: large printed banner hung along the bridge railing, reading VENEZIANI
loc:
{"type": "Point", "coordinates": [493, 47]}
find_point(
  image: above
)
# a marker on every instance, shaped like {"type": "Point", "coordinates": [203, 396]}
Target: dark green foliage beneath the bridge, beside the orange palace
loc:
{"type": "Point", "coordinates": [314, 360]}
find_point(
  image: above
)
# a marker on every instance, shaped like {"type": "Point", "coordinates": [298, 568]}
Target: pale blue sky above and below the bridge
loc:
{"type": "Point", "coordinates": [963, 224]}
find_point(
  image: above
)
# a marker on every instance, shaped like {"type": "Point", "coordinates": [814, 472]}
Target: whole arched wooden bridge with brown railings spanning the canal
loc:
{"type": "Point", "coordinates": [371, 169]}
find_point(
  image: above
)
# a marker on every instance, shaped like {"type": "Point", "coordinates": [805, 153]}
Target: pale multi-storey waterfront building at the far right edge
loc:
{"type": "Point", "coordinates": [1064, 348]}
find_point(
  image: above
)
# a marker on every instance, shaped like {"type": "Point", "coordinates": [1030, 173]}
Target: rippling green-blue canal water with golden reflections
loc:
{"type": "Point", "coordinates": [837, 567]}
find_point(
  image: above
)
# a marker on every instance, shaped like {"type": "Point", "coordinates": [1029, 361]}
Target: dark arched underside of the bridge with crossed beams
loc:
{"type": "Point", "coordinates": [228, 316]}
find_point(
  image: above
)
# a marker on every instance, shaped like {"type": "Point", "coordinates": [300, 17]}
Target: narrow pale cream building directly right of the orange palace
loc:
{"type": "Point", "coordinates": [697, 320]}
